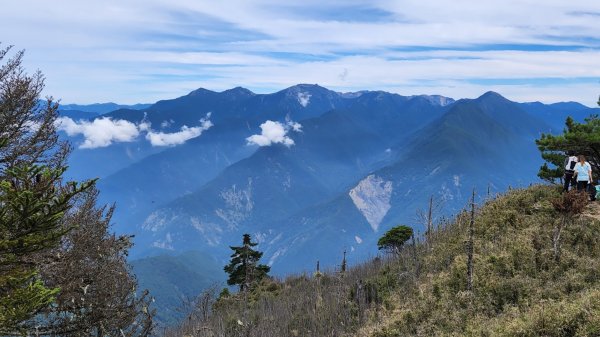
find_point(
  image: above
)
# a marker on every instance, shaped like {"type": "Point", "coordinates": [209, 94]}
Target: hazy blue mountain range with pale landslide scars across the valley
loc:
{"type": "Point", "coordinates": [310, 173]}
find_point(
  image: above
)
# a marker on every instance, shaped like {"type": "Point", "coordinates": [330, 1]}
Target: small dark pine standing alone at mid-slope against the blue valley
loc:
{"type": "Point", "coordinates": [243, 268]}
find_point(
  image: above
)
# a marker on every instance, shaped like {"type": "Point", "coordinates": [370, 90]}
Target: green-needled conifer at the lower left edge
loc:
{"type": "Point", "coordinates": [32, 203]}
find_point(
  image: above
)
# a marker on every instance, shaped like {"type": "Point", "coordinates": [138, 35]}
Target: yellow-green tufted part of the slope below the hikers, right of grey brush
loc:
{"type": "Point", "coordinates": [519, 288]}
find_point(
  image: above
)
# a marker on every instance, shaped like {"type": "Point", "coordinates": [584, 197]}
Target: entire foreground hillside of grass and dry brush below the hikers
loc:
{"type": "Point", "coordinates": [520, 289]}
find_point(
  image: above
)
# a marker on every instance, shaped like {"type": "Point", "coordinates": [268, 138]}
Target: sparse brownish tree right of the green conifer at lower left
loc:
{"type": "Point", "coordinates": [97, 287]}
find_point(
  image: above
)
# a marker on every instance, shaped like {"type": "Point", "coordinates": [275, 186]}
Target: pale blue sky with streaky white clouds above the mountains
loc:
{"type": "Point", "coordinates": [141, 51]}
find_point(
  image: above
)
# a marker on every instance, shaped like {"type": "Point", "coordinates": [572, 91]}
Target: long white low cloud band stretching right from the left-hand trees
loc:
{"type": "Point", "coordinates": [105, 131]}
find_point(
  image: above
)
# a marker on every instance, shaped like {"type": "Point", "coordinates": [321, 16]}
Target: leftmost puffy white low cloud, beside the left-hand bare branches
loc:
{"type": "Point", "coordinates": [100, 132]}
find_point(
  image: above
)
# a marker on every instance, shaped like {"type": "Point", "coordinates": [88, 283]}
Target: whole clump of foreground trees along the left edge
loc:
{"type": "Point", "coordinates": [62, 273]}
